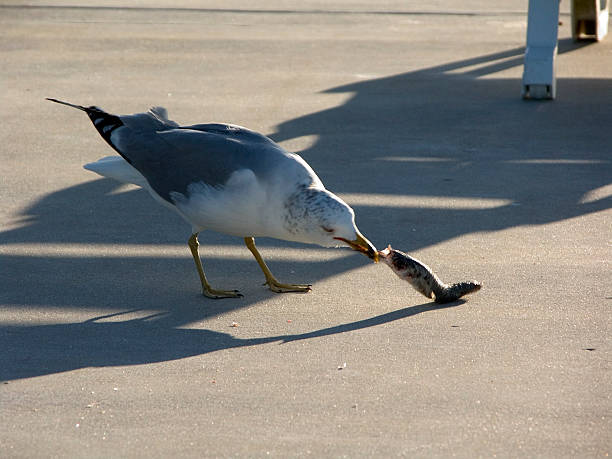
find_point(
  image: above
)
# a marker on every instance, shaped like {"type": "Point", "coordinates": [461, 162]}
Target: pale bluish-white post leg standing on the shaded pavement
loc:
{"type": "Point", "coordinates": [539, 81]}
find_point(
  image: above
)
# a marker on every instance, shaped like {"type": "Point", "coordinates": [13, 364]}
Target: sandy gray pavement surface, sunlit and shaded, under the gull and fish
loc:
{"type": "Point", "coordinates": [412, 112]}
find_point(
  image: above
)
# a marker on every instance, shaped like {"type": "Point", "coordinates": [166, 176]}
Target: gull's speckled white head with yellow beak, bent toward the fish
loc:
{"type": "Point", "coordinates": [317, 216]}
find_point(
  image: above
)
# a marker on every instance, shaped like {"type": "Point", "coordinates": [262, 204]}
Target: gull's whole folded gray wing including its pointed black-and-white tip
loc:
{"type": "Point", "coordinates": [171, 157]}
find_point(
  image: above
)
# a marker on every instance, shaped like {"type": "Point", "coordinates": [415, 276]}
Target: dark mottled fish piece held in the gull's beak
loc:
{"type": "Point", "coordinates": [423, 279]}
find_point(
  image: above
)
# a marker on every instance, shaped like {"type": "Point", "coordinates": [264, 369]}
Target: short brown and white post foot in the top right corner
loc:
{"type": "Point", "coordinates": [589, 19]}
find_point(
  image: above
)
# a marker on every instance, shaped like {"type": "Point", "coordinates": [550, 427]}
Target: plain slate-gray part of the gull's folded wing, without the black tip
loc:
{"type": "Point", "coordinates": [173, 158]}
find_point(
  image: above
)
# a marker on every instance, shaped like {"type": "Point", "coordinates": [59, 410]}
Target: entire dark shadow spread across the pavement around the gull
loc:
{"type": "Point", "coordinates": [445, 131]}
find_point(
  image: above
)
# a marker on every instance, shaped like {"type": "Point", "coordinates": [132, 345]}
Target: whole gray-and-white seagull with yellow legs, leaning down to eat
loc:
{"type": "Point", "coordinates": [225, 178]}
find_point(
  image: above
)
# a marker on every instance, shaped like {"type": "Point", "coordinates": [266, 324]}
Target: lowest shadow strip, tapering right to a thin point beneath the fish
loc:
{"type": "Point", "coordinates": [37, 350]}
